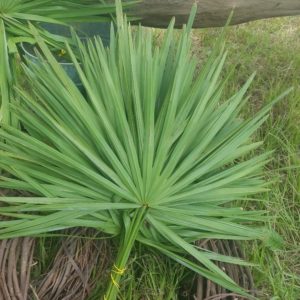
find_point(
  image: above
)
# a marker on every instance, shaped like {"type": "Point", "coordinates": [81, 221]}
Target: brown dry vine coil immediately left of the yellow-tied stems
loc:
{"type": "Point", "coordinates": [69, 277]}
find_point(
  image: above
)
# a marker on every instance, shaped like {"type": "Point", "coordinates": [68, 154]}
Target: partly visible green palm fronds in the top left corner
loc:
{"type": "Point", "coordinates": [15, 16]}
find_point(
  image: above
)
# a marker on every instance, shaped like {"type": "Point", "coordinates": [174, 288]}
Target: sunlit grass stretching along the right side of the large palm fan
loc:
{"type": "Point", "coordinates": [272, 48]}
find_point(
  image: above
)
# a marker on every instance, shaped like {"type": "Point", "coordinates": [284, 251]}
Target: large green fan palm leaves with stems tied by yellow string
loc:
{"type": "Point", "coordinates": [151, 153]}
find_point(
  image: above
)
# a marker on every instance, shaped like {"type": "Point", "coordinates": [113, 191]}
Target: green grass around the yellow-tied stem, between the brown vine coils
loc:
{"type": "Point", "coordinates": [148, 276]}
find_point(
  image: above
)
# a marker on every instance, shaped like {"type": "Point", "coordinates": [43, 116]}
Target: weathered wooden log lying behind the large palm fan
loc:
{"type": "Point", "coordinates": [213, 13]}
